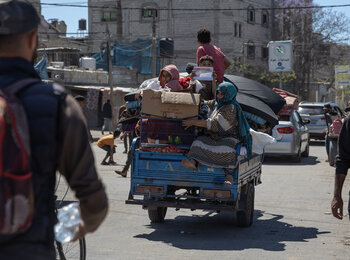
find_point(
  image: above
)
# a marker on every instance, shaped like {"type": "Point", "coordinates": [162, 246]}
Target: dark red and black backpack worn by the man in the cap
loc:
{"type": "Point", "coordinates": [16, 177]}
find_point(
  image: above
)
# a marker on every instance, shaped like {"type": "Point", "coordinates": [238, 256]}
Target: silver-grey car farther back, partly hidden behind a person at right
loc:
{"type": "Point", "coordinates": [313, 111]}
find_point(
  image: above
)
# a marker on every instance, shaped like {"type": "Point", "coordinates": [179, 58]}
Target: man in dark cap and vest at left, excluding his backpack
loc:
{"type": "Point", "coordinates": [58, 135]}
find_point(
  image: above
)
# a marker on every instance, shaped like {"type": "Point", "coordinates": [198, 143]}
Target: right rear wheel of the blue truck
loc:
{"type": "Point", "coordinates": [245, 217]}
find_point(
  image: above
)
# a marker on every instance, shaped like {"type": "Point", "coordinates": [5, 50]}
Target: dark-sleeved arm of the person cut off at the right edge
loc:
{"type": "Point", "coordinates": [341, 169]}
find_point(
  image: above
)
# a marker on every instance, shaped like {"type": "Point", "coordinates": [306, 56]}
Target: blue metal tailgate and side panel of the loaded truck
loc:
{"type": "Point", "coordinates": [164, 171]}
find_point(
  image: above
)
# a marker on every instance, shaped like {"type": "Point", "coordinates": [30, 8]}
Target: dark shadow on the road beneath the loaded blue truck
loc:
{"type": "Point", "coordinates": [218, 232]}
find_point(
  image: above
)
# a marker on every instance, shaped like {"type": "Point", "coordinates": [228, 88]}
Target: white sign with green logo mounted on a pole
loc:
{"type": "Point", "coordinates": [280, 56]}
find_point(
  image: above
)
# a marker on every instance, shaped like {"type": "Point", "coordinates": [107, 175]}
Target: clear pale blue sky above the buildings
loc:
{"type": "Point", "coordinates": [72, 15]}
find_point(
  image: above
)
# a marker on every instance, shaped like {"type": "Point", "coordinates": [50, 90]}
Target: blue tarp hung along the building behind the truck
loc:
{"type": "Point", "coordinates": [136, 54]}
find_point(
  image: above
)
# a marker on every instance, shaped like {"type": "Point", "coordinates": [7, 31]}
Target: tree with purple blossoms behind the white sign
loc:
{"type": "Point", "coordinates": [316, 34]}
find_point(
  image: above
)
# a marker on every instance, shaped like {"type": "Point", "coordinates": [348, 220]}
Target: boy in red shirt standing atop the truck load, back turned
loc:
{"type": "Point", "coordinates": [221, 63]}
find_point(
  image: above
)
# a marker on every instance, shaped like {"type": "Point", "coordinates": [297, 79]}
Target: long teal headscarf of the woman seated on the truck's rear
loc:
{"type": "Point", "coordinates": [229, 92]}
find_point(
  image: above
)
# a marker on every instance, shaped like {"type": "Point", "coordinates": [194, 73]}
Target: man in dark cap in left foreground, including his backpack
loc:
{"type": "Point", "coordinates": [50, 135]}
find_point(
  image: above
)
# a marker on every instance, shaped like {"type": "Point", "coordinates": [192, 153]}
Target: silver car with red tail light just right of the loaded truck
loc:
{"type": "Point", "coordinates": [292, 137]}
